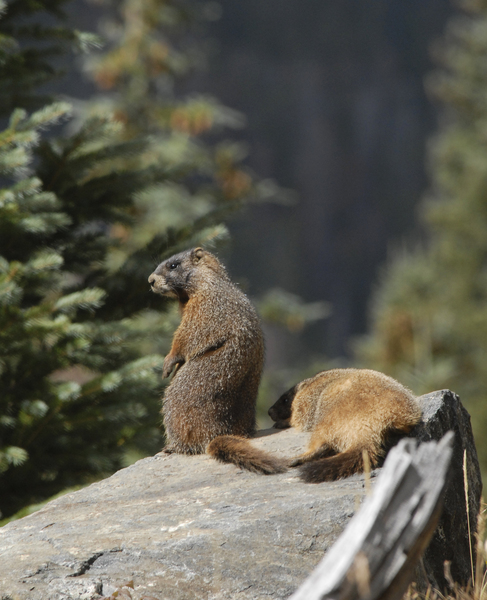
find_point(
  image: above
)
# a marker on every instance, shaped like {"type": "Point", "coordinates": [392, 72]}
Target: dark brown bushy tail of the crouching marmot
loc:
{"type": "Point", "coordinates": [335, 467]}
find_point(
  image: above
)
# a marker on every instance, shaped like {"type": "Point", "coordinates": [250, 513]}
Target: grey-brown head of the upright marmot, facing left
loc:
{"type": "Point", "coordinates": [182, 274]}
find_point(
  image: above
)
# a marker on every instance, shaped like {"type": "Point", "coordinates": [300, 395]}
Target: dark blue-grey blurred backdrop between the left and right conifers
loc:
{"type": "Point", "coordinates": [336, 111]}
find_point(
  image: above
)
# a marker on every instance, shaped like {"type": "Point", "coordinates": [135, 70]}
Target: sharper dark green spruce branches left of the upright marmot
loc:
{"type": "Point", "coordinates": [73, 389]}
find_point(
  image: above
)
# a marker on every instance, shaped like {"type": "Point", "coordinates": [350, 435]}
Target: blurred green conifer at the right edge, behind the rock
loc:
{"type": "Point", "coordinates": [430, 312]}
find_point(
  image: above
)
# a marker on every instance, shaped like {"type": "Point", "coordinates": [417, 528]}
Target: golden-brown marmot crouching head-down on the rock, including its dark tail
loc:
{"type": "Point", "coordinates": [347, 411]}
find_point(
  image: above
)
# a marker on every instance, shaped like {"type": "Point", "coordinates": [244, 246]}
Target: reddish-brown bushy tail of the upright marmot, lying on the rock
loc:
{"type": "Point", "coordinates": [240, 452]}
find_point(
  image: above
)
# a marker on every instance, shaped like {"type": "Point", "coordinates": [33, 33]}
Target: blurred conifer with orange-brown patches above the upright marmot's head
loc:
{"type": "Point", "coordinates": [155, 48]}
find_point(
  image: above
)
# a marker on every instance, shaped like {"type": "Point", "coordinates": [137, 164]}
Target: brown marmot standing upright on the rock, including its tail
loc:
{"type": "Point", "coordinates": [217, 353]}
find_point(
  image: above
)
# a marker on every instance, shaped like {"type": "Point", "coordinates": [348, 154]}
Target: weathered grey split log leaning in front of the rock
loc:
{"type": "Point", "coordinates": [376, 554]}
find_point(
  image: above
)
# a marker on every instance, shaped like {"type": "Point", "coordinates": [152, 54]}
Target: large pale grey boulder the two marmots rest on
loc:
{"type": "Point", "coordinates": [185, 527]}
